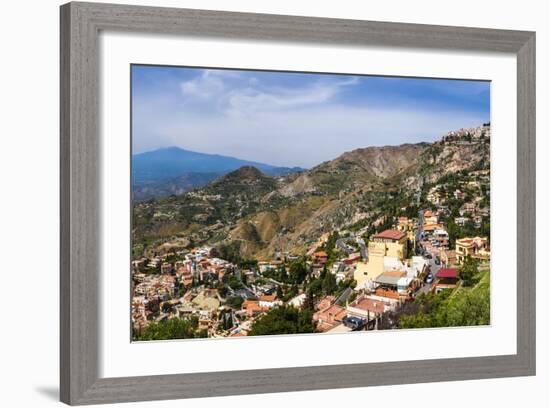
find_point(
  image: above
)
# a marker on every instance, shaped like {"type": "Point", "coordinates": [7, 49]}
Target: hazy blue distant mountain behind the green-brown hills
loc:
{"type": "Point", "coordinates": [173, 170]}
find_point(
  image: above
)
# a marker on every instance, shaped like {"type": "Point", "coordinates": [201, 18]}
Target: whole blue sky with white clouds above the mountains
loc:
{"type": "Point", "coordinates": [295, 119]}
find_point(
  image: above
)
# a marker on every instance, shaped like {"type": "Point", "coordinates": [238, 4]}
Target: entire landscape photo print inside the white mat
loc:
{"type": "Point", "coordinates": [268, 203]}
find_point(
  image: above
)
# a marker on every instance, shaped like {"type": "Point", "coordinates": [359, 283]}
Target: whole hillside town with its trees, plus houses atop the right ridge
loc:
{"type": "Point", "coordinates": [424, 265]}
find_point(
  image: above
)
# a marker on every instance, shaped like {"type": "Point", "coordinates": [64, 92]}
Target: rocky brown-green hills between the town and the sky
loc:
{"type": "Point", "coordinates": [263, 214]}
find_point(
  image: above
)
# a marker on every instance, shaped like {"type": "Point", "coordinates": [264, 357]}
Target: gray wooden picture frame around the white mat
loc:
{"type": "Point", "coordinates": [80, 234]}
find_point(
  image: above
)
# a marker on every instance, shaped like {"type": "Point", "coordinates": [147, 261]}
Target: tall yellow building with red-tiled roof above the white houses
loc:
{"type": "Point", "coordinates": [386, 243]}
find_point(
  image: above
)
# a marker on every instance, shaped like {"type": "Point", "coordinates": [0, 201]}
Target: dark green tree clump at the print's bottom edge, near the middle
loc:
{"type": "Point", "coordinates": [283, 320]}
